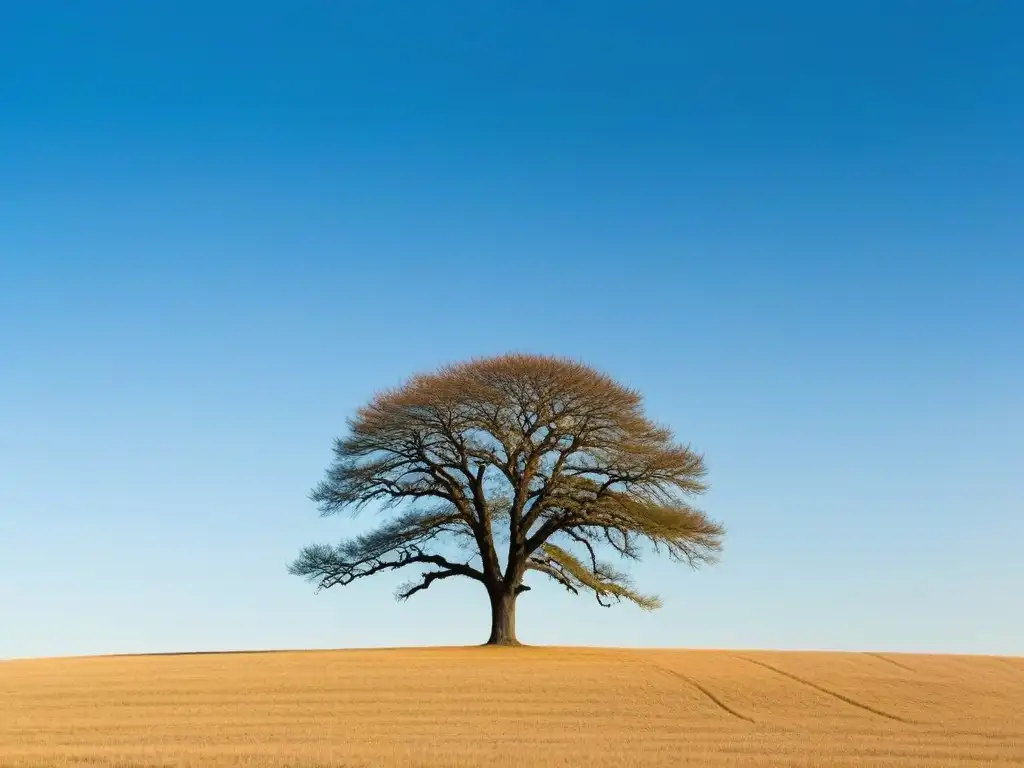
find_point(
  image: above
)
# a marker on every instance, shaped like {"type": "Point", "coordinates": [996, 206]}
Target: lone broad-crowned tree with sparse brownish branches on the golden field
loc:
{"type": "Point", "coordinates": [508, 465]}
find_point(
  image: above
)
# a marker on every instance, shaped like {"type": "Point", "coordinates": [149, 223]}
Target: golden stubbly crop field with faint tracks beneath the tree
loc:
{"type": "Point", "coordinates": [522, 707]}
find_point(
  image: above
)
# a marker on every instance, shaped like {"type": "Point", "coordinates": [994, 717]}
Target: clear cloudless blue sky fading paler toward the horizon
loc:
{"type": "Point", "coordinates": [798, 228]}
